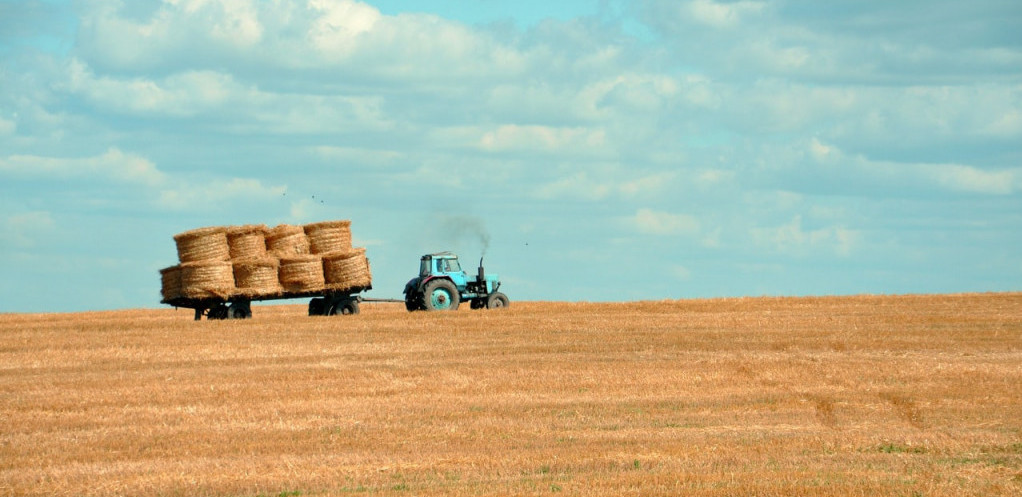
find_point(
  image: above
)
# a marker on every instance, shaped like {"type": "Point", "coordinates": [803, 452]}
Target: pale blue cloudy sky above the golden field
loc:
{"type": "Point", "coordinates": [609, 150]}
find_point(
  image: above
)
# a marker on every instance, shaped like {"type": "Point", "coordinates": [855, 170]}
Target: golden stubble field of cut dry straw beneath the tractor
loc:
{"type": "Point", "coordinates": [832, 396]}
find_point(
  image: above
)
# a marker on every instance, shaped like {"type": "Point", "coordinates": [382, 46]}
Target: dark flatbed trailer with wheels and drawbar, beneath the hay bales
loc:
{"type": "Point", "coordinates": [322, 303]}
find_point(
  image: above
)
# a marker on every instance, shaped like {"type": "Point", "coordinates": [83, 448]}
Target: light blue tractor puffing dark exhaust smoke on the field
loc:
{"type": "Point", "coordinates": [442, 286]}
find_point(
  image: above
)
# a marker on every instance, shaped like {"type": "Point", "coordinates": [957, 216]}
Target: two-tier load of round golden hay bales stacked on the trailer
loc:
{"type": "Point", "coordinates": [255, 262]}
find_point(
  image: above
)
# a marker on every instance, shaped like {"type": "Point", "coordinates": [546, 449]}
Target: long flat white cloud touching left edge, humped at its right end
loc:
{"type": "Point", "coordinates": [114, 166]}
